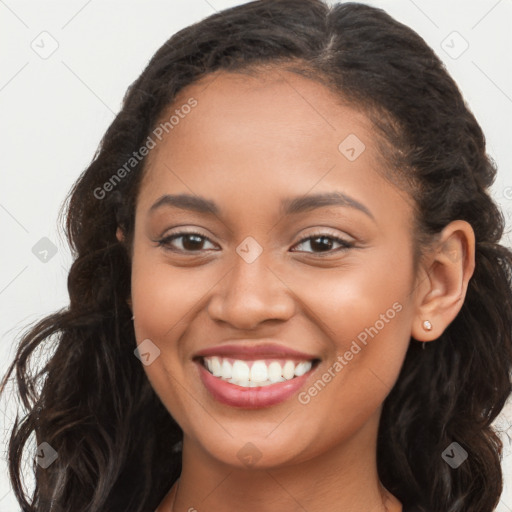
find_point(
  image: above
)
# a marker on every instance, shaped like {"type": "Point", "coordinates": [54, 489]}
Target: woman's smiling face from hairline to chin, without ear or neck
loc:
{"type": "Point", "coordinates": [276, 280]}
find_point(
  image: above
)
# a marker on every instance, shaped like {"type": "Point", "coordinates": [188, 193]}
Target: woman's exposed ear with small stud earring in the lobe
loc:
{"type": "Point", "coordinates": [443, 280]}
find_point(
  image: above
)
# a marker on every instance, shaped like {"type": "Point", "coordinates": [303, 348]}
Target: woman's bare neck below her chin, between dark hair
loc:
{"type": "Point", "coordinates": [341, 479]}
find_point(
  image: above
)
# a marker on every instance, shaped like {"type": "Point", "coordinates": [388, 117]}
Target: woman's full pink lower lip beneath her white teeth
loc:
{"type": "Point", "coordinates": [250, 398]}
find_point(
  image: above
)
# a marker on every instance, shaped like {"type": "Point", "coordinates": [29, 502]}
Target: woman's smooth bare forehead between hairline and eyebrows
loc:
{"type": "Point", "coordinates": [270, 135]}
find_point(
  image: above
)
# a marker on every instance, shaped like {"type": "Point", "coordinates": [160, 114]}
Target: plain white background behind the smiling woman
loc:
{"type": "Point", "coordinates": [54, 111]}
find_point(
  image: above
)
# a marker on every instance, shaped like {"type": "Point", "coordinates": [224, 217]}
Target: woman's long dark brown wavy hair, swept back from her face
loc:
{"type": "Point", "coordinates": [118, 447]}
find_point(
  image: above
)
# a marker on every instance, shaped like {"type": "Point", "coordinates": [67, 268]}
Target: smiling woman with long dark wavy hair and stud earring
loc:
{"type": "Point", "coordinates": [288, 290]}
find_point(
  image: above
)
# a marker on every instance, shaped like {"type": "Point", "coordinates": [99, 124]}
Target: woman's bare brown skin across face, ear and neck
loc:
{"type": "Point", "coordinates": [248, 143]}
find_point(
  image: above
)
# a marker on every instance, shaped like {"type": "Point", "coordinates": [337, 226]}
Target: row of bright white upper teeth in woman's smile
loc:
{"type": "Point", "coordinates": [258, 374]}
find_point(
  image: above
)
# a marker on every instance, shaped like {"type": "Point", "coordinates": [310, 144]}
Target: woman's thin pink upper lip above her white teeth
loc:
{"type": "Point", "coordinates": [247, 349]}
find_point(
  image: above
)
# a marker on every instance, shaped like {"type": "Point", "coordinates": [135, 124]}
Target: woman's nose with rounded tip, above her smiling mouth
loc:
{"type": "Point", "coordinates": [252, 293]}
